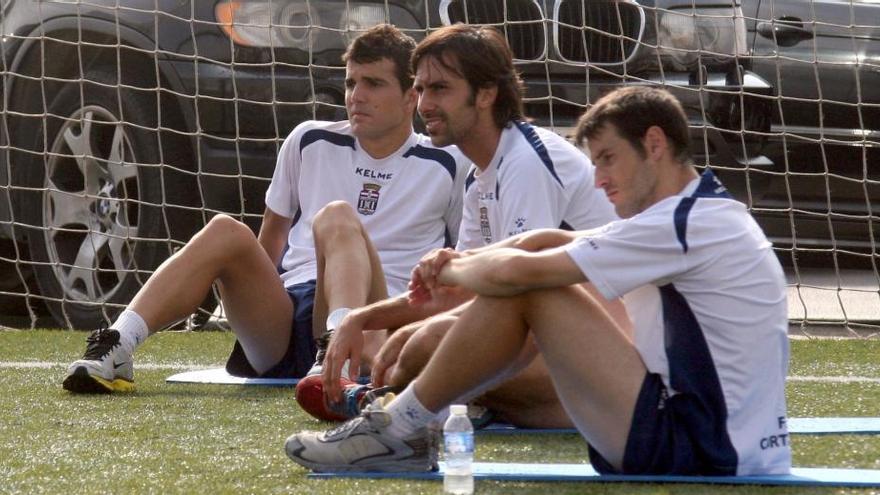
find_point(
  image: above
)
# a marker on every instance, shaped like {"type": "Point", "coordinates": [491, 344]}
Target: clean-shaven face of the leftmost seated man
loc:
{"type": "Point", "coordinates": [375, 103]}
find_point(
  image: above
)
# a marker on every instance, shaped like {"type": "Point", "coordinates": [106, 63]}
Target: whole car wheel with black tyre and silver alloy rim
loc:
{"type": "Point", "coordinates": [96, 219]}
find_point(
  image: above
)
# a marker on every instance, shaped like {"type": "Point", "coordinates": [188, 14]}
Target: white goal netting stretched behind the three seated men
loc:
{"type": "Point", "coordinates": [127, 124]}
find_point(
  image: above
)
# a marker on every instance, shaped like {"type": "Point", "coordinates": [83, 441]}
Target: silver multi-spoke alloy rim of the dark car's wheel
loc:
{"type": "Point", "coordinates": [90, 205]}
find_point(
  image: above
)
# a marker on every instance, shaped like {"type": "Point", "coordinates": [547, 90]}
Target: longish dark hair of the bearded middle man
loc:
{"type": "Point", "coordinates": [484, 59]}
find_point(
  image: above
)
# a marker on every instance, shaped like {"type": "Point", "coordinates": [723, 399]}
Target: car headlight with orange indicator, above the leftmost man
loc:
{"type": "Point", "coordinates": [303, 24]}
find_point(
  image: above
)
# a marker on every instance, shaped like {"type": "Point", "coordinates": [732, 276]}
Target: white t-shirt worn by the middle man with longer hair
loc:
{"type": "Point", "coordinates": [536, 179]}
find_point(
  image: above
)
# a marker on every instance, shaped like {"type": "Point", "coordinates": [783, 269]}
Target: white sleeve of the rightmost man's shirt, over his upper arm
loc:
{"type": "Point", "coordinates": [627, 254]}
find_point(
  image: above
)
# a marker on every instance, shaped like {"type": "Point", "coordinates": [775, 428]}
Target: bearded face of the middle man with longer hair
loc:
{"type": "Point", "coordinates": [446, 103]}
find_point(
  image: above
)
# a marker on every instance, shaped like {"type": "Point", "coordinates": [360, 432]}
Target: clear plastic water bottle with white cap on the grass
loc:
{"type": "Point", "coordinates": [458, 439]}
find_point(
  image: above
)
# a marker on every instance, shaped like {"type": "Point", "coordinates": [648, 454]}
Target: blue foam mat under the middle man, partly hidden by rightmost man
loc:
{"type": "Point", "coordinates": [808, 426]}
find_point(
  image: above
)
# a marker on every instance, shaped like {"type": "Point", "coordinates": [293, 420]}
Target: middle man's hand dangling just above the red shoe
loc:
{"type": "Point", "coordinates": [347, 343]}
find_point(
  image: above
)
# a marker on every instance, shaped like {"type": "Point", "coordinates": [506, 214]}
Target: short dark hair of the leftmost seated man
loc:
{"type": "Point", "coordinates": [384, 41]}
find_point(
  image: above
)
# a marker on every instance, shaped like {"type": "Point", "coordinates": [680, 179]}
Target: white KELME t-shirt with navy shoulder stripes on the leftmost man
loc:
{"type": "Point", "coordinates": [408, 202]}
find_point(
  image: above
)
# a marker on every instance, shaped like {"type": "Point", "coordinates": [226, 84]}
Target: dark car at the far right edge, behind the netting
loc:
{"type": "Point", "coordinates": [823, 59]}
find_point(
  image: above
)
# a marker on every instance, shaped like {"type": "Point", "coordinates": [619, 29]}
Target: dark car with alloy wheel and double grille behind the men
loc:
{"type": "Point", "coordinates": [128, 123]}
